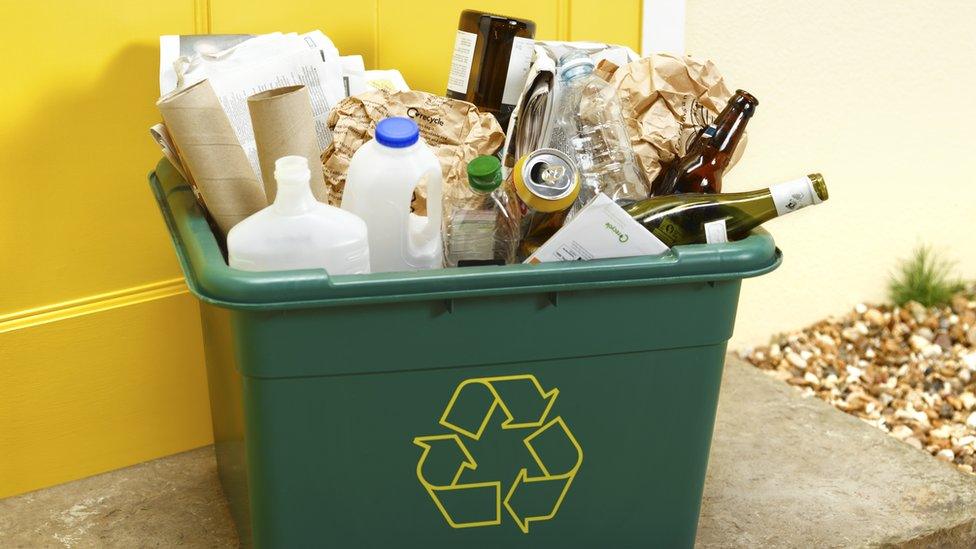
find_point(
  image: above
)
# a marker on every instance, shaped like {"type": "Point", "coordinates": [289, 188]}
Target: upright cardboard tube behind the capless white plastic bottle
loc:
{"type": "Point", "coordinates": [283, 125]}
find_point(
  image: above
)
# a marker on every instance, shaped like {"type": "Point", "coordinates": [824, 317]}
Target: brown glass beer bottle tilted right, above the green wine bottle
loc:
{"type": "Point", "coordinates": [700, 170]}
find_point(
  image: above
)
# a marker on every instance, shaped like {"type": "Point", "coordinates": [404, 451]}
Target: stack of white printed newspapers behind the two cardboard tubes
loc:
{"type": "Point", "coordinates": [259, 64]}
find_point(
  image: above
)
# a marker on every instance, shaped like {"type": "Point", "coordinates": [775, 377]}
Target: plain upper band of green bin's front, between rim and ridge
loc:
{"type": "Point", "coordinates": [469, 332]}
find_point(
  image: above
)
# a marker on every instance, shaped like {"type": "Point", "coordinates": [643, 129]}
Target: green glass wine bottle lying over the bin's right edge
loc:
{"type": "Point", "coordinates": [689, 218]}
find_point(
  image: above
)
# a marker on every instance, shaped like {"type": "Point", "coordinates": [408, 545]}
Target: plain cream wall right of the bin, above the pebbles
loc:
{"type": "Point", "coordinates": [878, 95]}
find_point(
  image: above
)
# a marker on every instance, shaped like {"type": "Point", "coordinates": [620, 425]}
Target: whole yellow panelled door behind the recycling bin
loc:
{"type": "Point", "coordinates": [100, 352]}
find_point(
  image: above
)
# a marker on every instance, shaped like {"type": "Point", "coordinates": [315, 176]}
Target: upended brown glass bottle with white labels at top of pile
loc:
{"type": "Point", "coordinates": [492, 54]}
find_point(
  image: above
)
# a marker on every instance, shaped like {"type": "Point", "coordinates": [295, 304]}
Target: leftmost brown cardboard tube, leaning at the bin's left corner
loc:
{"type": "Point", "coordinates": [211, 153]}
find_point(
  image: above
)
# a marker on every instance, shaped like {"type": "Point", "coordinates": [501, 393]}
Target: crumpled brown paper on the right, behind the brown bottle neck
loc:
{"type": "Point", "coordinates": [666, 100]}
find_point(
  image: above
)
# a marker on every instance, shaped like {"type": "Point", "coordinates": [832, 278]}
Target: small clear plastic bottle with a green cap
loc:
{"type": "Point", "coordinates": [483, 230]}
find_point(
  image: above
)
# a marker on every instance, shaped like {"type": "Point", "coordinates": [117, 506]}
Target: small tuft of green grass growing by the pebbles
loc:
{"type": "Point", "coordinates": [926, 277]}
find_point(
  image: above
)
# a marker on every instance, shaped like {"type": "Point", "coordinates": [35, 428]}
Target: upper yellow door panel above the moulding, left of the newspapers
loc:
{"type": "Point", "coordinates": [80, 82]}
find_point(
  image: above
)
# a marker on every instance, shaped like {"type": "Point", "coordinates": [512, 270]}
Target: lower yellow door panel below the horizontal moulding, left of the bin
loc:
{"type": "Point", "coordinates": [100, 391]}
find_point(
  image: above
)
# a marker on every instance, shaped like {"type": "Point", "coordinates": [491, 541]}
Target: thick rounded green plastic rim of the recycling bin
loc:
{"type": "Point", "coordinates": [210, 278]}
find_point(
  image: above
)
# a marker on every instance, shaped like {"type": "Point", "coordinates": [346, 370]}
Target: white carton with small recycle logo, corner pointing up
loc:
{"type": "Point", "coordinates": [601, 230]}
